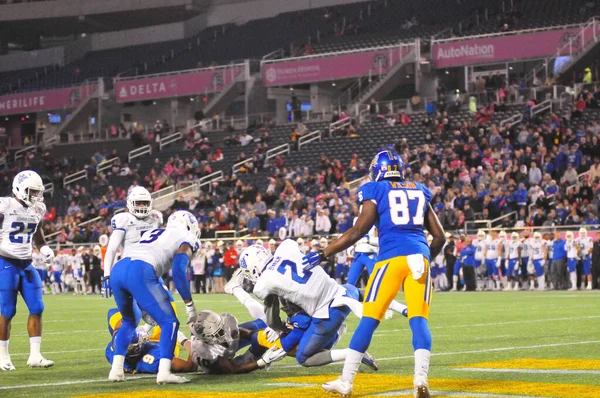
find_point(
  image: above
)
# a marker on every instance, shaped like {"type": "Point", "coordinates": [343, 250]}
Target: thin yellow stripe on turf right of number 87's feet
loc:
{"type": "Point", "coordinates": [535, 363]}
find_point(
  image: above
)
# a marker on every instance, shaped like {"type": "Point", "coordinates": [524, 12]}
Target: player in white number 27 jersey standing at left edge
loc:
{"type": "Point", "coordinates": [22, 218]}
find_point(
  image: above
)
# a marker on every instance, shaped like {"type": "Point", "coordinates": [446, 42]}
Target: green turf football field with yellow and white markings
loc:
{"type": "Point", "coordinates": [523, 344]}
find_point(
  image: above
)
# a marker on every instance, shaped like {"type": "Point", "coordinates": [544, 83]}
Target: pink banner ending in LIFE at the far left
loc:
{"type": "Point", "coordinates": [39, 101]}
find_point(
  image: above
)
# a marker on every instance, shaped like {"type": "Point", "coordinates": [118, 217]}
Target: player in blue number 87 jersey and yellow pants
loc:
{"type": "Point", "coordinates": [401, 210]}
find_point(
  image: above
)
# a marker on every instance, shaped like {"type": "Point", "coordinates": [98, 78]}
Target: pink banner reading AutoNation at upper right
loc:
{"type": "Point", "coordinates": [509, 48]}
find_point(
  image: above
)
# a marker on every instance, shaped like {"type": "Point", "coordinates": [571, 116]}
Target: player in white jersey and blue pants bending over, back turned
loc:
{"type": "Point", "coordinates": [136, 277]}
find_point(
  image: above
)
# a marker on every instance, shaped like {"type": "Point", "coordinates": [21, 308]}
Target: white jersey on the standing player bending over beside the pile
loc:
{"type": "Point", "coordinates": [158, 247]}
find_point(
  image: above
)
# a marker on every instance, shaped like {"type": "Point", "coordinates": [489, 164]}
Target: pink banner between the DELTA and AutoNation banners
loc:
{"type": "Point", "coordinates": [332, 67]}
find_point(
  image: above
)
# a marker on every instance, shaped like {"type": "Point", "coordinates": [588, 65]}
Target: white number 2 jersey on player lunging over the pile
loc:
{"type": "Point", "coordinates": [285, 277]}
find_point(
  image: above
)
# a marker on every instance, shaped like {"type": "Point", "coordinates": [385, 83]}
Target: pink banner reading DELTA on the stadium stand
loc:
{"type": "Point", "coordinates": [192, 83]}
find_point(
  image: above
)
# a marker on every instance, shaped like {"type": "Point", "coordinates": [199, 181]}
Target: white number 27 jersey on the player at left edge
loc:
{"type": "Point", "coordinates": [18, 226]}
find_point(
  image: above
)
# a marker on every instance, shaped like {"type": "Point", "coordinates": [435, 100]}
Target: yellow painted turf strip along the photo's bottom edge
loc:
{"type": "Point", "coordinates": [370, 385]}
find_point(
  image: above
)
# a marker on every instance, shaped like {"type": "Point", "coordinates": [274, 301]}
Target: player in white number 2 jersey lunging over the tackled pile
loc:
{"type": "Point", "coordinates": [281, 277]}
